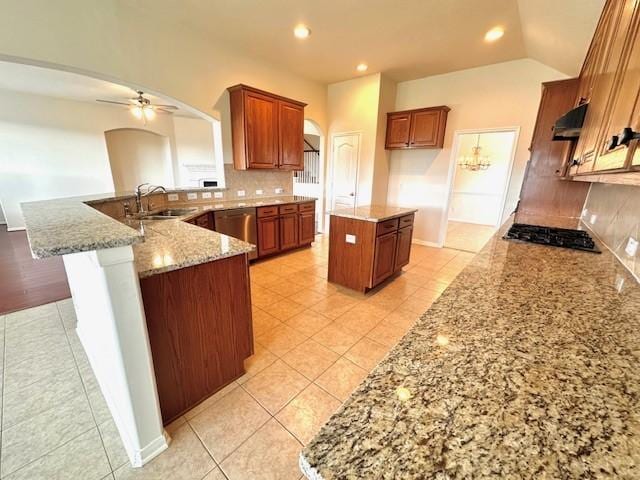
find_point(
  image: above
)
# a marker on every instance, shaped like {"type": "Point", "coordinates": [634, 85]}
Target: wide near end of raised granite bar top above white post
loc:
{"type": "Point", "coordinates": [59, 227]}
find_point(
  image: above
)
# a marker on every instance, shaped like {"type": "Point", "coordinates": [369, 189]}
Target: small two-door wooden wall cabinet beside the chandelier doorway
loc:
{"type": "Point", "coordinates": [421, 128]}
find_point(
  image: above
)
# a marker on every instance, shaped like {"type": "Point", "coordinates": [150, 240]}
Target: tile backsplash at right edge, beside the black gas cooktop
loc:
{"type": "Point", "coordinates": [611, 211]}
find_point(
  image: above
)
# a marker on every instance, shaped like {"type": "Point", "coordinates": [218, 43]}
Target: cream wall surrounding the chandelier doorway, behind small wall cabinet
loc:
{"type": "Point", "coordinates": [500, 95]}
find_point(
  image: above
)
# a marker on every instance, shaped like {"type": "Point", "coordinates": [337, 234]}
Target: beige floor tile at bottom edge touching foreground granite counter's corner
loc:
{"type": "Point", "coordinates": [270, 454]}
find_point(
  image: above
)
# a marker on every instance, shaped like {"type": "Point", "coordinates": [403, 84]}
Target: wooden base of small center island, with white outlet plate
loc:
{"type": "Point", "coordinates": [362, 253]}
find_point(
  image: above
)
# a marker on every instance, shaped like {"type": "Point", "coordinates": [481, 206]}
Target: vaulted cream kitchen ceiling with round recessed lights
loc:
{"type": "Point", "coordinates": [405, 39]}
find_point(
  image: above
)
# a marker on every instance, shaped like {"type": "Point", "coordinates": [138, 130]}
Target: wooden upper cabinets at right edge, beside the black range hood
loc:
{"type": "Point", "coordinates": [610, 83]}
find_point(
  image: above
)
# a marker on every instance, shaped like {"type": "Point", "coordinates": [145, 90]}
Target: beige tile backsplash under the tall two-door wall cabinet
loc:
{"type": "Point", "coordinates": [250, 181]}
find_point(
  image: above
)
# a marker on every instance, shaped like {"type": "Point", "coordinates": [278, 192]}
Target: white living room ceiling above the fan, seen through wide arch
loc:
{"type": "Point", "coordinates": [71, 86]}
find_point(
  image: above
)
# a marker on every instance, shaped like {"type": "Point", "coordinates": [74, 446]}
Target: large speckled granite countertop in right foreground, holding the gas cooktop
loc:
{"type": "Point", "coordinates": [525, 367]}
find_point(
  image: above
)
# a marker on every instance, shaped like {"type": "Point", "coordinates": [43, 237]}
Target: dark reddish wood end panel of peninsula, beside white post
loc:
{"type": "Point", "coordinates": [200, 330]}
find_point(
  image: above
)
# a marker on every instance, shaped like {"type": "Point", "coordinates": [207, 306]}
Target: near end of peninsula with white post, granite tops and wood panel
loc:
{"type": "Point", "coordinates": [163, 310]}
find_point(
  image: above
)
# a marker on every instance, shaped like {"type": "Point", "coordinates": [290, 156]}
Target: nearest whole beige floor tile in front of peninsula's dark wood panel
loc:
{"type": "Point", "coordinates": [225, 425]}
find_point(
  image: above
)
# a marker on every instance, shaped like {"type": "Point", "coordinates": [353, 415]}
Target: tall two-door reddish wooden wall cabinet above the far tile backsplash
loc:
{"type": "Point", "coordinates": [267, 130]}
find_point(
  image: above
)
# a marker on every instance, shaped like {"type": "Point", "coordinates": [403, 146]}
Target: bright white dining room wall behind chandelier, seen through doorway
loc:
{"type": "Point", "coordinates": [477, 196]}
